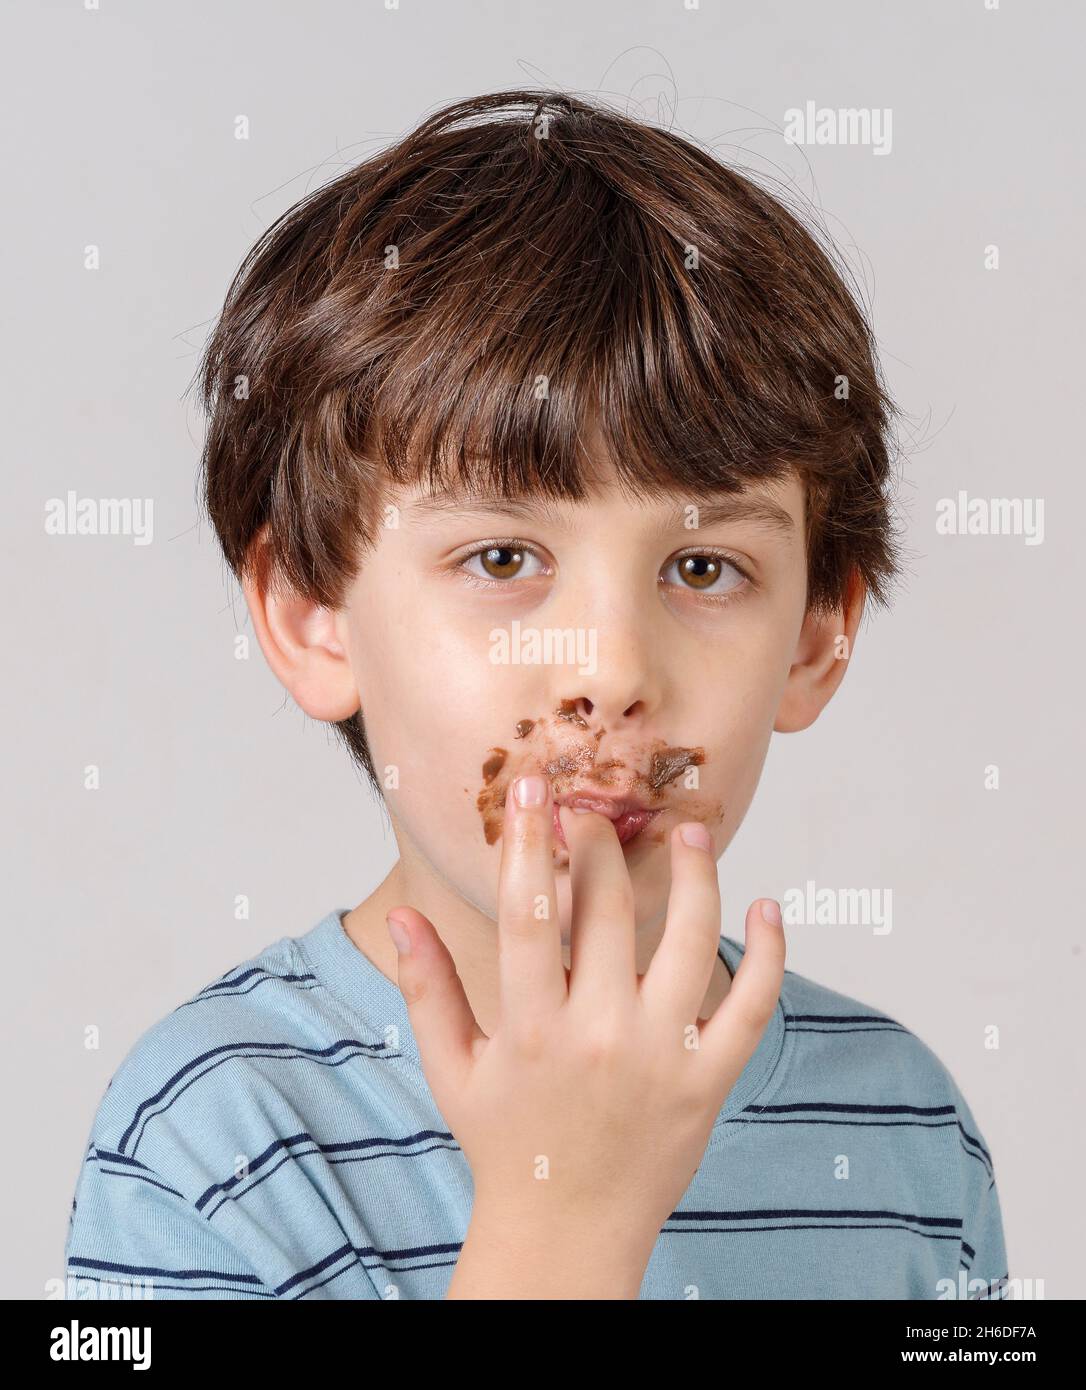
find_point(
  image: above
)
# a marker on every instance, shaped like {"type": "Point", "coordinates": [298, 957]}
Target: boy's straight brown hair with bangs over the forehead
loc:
{"type": "Point", "coordinates": [396, 325]}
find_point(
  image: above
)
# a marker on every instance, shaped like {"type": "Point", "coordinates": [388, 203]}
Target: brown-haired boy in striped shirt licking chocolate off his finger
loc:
{"type": "Point", "coordinates": [557, 452]}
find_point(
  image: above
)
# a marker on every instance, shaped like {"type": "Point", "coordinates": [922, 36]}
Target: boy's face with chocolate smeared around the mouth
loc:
{"type": "Point", "coordinates": [611, 646]}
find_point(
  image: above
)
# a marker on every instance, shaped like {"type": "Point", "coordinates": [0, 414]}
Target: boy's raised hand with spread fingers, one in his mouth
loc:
{"type": "Point", "coordinates": [593, 1103]}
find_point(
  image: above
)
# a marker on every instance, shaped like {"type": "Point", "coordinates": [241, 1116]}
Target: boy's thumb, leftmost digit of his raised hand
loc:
{"type": "Point", "coordinates": [443, 1021]}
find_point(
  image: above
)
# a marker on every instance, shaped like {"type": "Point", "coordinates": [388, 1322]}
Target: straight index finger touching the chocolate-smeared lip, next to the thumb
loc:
{"type": "Point", "coordinates": [530, 970]}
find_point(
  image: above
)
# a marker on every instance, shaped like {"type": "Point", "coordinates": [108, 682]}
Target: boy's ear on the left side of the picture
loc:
{"type": "Point", "coordinates": [302, 644]}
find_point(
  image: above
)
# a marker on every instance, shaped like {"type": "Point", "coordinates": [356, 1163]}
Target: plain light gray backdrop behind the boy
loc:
{"type": "Point", "coordinates": [120, 133]}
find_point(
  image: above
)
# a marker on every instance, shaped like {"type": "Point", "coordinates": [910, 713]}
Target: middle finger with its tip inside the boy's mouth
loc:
{"type": "Point", "coordinates": [603, 942]}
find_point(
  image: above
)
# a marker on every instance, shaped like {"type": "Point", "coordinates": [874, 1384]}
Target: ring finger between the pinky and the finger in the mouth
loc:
{"type": "Point", "coordinates": [682, 967]}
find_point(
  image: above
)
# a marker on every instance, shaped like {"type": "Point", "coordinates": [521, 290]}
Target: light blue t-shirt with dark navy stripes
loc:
{"type": "Point", "coordinates": [275, 1138]}
